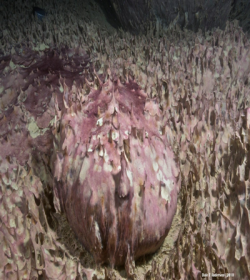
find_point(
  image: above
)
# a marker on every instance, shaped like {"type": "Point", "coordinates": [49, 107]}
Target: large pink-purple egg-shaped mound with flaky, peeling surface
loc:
{"type": "Point", "coordinates": [115, 176]}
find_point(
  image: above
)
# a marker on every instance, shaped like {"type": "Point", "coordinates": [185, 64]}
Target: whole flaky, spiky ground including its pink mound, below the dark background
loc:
{"type": "Point", "coordinates": [180, 101]}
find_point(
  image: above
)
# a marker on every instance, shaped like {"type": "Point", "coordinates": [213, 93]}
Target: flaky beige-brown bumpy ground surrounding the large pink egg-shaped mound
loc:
{"type": "Point", "coordinates": [201, 86]}
